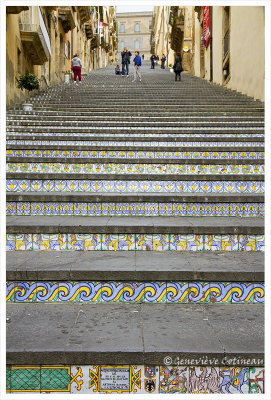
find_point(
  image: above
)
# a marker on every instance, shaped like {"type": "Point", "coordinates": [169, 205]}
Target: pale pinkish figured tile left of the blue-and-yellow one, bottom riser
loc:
{"type": "Point", "coordinates": [204, 380]}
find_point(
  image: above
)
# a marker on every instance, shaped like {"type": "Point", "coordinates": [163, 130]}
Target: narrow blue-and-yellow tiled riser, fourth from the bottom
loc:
{"type": "Point", "coordinates": [137, 209]}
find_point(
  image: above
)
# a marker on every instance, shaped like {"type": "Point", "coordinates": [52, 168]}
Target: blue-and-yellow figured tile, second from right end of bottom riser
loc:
{"type": "Point", "coordinates": [234, 380]}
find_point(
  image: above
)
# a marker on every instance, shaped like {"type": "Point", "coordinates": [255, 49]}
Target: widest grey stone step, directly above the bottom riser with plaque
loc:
{"type": "Point", "coordinates": [88, 334]}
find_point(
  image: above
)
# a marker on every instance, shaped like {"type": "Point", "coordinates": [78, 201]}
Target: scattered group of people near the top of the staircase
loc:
{"type": "Point", "coordinates": [125, 61]}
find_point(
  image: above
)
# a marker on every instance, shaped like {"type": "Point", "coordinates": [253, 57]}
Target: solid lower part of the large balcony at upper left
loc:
{"type": "Point", "coordinates": [35, 43]}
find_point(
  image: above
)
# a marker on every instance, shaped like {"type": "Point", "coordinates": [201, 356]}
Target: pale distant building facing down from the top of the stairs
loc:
{"type": "Point", "coordinates": [134, 32]}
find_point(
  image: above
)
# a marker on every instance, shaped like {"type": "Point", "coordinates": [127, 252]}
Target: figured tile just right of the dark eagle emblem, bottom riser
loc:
{"type": "Point", "coordinates": [174, 379]}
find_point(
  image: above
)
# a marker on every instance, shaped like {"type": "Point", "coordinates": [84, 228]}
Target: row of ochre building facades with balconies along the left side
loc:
{"type": "Point", "coordinates": [43, 40]}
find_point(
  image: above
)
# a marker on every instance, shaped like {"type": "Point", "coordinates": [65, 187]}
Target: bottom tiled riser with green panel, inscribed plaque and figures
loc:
{"type": "Point", "coordinates": [182, 379]}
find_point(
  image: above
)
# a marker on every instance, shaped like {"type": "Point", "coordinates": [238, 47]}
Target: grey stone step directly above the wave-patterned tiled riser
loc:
{"type": "Point", "coordinates": [216, 266]}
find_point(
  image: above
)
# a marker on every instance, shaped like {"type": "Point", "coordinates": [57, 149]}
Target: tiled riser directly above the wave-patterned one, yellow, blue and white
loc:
{"type": "Point", "coordinates": [132, 242]}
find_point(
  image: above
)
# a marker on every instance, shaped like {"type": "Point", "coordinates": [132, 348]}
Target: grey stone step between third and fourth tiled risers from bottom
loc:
{"type": "Point", "coordinates": [130, 225]}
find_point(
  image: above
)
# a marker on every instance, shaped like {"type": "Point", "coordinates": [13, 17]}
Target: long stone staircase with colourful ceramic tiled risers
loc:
{"type": "Point", "coordinates": [135, 238]}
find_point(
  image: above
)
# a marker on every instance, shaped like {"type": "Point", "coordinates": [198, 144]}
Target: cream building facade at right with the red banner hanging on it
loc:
{"type": "Point", "coordinates": [235, 55]}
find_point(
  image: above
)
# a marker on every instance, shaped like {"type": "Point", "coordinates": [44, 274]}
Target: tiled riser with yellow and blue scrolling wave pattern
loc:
{"type": "Point", "coordinates": [135, 292]}
